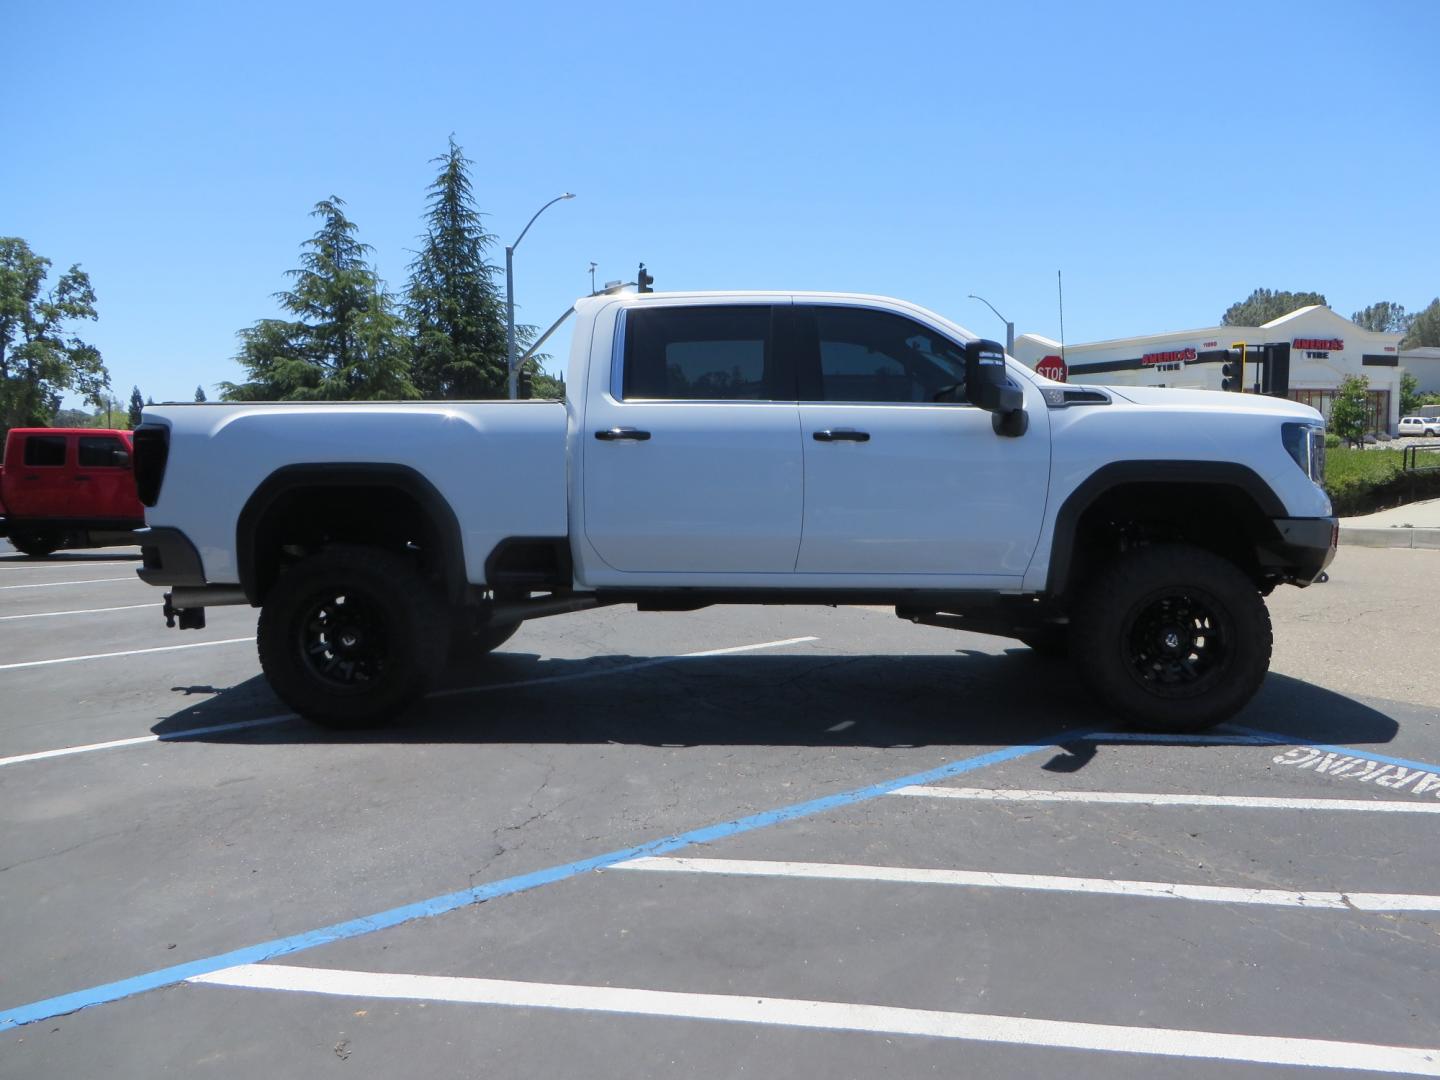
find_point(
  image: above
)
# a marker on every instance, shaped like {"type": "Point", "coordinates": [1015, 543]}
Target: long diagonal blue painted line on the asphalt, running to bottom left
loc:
{"type": "Point", "coordinates": [426, 909]}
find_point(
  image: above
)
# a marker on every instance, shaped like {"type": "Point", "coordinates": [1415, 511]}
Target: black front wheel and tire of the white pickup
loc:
{"type": "Point", "coordinates": [1173, 639]}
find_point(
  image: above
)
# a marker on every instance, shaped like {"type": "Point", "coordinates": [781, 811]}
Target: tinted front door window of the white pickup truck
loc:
{"type": "Point", "coordinates": [878, 356]}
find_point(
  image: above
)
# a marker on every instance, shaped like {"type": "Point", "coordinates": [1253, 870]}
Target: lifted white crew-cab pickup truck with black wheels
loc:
{"type": "Point", "coordinates": [750, 449]}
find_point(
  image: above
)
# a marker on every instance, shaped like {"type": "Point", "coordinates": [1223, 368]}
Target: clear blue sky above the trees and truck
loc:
{"type": "Point", "coordinates": [1167, 158]}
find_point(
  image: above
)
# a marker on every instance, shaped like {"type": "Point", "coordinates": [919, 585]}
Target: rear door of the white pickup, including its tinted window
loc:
{"type": "Point", "coordinates": [692, 447]}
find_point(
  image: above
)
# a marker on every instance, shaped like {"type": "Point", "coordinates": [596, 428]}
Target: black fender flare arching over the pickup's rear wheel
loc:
{"type": "Point", "coordinates": [348, 474]}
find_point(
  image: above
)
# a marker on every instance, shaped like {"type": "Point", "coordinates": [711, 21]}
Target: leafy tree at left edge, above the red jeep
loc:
{"type": "Point", "coordinates": [41, 359]}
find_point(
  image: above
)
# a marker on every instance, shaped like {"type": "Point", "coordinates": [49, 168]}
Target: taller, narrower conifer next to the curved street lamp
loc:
{"type": "Point", "coordinates": [456, 312]}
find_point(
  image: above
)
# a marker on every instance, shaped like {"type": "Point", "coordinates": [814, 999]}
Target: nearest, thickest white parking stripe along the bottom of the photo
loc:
{"type": "Point", "coordinates": [834, 1016]}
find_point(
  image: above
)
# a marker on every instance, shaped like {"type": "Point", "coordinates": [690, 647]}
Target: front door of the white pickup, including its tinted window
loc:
{"type": "Point", "coordinates": [896, 482]}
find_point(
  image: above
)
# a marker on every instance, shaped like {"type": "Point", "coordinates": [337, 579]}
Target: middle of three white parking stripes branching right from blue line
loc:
{"type": "Point", "coordinates": [1045, 883]}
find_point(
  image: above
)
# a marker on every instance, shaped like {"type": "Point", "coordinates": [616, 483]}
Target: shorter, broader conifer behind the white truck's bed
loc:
{"type": "Point", "coordinates": [345, 343]}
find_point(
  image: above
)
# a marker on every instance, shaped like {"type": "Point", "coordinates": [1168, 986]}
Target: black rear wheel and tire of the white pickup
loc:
{"type": "Point", "coordinates": [351, 637]}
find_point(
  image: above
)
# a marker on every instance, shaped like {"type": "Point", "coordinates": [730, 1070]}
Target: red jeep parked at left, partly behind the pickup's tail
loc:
{"type": "Point", "coordinates": [68, 487]}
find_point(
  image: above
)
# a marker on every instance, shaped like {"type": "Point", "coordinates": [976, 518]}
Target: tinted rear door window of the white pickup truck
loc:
{"type": "Point", "coordinates": [701, 354]}
